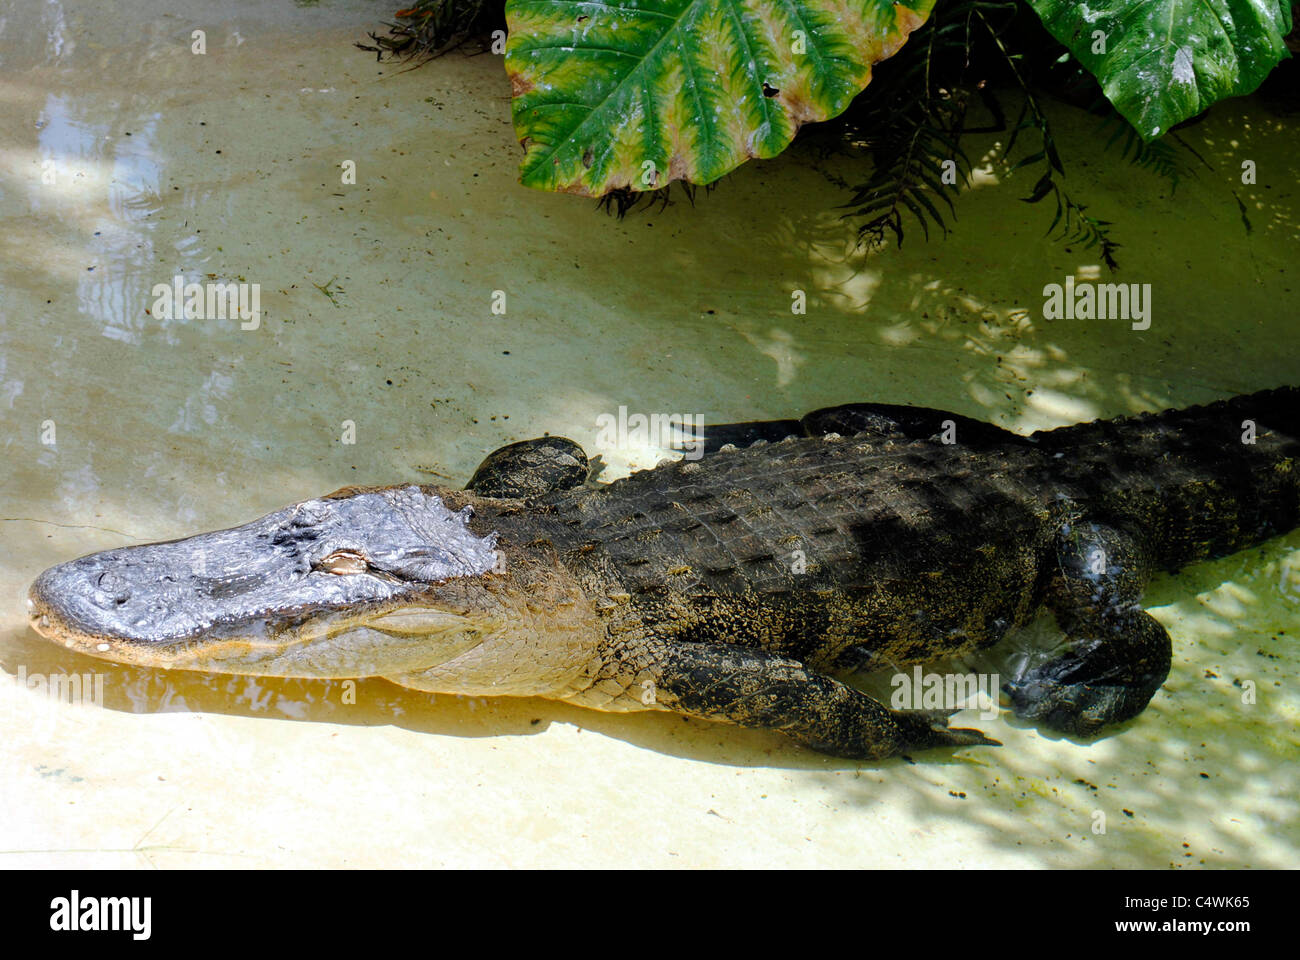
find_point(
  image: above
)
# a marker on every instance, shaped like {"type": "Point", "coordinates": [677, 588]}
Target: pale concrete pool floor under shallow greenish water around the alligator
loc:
{"type": "Point", "coordinates": [378, 309]}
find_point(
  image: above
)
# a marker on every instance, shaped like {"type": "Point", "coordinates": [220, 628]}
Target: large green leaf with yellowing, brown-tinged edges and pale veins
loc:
{"type": "Point", "coordinates": [642, 93]}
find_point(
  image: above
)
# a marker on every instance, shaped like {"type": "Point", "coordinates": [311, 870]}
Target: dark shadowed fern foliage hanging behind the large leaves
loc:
{"type": "Point", "coordinates": [909, 122]}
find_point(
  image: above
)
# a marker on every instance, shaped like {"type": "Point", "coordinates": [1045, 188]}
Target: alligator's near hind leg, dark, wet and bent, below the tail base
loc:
{"type": "Point", "coordinates": [1119, 655]}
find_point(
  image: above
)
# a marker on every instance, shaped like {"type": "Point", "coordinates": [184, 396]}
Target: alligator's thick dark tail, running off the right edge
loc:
{"type": "Point", "coordinates": [1197, 483]}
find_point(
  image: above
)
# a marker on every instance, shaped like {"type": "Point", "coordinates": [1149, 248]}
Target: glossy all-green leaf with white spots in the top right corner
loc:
{"type": "Point", "coordinates": [1162, 63]}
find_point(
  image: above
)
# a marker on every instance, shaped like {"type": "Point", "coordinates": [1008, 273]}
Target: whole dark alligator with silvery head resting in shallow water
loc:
{"type": "Point", "coordinates": [739, 586]}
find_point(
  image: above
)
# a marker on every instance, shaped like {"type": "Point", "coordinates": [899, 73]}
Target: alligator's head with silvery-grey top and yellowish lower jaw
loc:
{"type": "Point", "coordinates": [358, 583]}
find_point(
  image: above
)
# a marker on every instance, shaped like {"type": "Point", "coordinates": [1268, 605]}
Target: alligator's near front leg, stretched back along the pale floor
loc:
{"type": "Point", "coordinates": [756, 689]}
